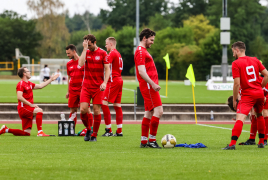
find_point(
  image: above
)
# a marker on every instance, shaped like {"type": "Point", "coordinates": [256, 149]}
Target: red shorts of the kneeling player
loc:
{"type": "Point", "coordinates": [26, 116]}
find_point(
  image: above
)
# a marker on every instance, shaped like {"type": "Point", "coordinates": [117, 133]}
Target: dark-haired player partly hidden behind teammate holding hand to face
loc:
{"type": "Point", "coordinates": [75, 77]}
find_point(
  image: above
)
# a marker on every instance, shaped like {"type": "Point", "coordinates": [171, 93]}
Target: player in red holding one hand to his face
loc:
{"type": "Point", "coordinates": [94, 83]}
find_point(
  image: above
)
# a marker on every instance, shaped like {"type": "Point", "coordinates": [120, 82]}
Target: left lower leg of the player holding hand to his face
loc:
{"type": "Point", "coordinates": [85, 120]}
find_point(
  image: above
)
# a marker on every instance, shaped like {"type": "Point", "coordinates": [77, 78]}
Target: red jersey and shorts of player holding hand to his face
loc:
{"type": "Point", "coordinates": [94, 76]}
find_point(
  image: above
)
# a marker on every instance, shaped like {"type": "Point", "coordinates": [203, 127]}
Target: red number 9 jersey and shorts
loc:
{"type": "Point", "coordinates": [247, 69]}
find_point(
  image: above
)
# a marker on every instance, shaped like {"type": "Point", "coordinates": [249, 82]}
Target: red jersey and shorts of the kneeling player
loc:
{"type": "Point", "coordinates": [25, 111]}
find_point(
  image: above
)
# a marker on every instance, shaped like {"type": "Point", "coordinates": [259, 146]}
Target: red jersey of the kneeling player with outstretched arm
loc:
{"type": "Point", "coordinates": [27, 92]}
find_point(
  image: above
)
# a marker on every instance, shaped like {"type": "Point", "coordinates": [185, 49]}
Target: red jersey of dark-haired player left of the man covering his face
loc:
{"type": "Point", "coordinates": [76, 74]}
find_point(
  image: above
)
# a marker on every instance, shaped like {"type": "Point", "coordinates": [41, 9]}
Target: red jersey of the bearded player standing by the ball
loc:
{"type": "Point", "coordinates": [142, 57]}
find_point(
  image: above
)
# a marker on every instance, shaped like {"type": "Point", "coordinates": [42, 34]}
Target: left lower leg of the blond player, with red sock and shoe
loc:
{"type": "Point", "coordinates": [107, 119]}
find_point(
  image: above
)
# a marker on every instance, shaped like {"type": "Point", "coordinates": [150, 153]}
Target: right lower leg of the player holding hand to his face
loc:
{"type": "Point", "coordinates": [97, 121]}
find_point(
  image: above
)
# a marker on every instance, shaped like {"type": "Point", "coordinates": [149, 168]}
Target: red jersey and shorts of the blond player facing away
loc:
{"type": "Point", "coordinates": [113, 91]}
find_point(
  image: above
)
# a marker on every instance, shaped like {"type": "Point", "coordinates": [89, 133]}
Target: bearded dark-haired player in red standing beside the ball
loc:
{"type": "Point", "coordinates": [148, 82]}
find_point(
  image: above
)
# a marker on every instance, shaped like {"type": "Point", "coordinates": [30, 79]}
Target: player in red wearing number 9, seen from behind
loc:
{"type": "Point", "coordinates": [245, 72]}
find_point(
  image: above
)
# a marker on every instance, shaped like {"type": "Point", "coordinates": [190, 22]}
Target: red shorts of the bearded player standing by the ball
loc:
{"type": "Point", "coordinates": [151, 99]}
